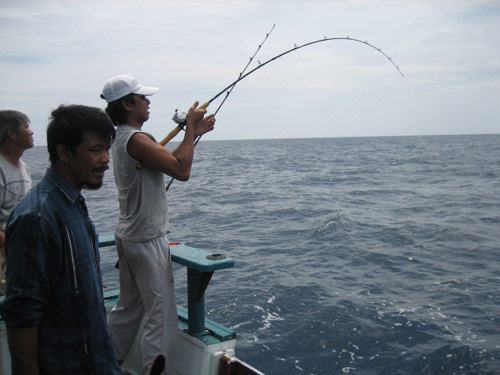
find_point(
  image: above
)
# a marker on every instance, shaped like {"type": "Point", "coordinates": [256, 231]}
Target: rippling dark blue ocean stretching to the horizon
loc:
{"type": "Point", "coordinates": [376, 255]}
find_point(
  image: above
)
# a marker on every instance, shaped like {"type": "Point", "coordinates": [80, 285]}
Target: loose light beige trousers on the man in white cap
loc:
{"type": "Point", "coordinates": [146, 291]}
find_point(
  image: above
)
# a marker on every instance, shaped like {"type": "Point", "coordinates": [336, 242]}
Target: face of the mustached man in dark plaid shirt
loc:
{"type": "Point", "coordinates": [86, 166]}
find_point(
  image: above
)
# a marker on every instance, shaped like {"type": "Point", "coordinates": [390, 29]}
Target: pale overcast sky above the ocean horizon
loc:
{"type": "Point", "coordinates": [54, 52]}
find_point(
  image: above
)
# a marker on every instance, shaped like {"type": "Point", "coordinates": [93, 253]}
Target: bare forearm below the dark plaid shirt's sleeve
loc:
{"type": "Point", "coordinates": [23, 347]}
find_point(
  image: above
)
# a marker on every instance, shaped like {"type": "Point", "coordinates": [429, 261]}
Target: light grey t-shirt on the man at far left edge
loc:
{"type": "Point", "coordinates": [14, 184]}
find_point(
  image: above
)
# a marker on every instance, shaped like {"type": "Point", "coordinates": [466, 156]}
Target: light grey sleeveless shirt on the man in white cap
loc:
{"type": "Point", "coordinates": [141, 192]}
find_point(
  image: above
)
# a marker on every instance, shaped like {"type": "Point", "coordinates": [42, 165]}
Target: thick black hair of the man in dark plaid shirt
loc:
{"type": "Point", "coordinates": [69, 124]}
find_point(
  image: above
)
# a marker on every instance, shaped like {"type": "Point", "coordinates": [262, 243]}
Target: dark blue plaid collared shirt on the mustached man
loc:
{"type": "Point", "coordinates": [54, 280]}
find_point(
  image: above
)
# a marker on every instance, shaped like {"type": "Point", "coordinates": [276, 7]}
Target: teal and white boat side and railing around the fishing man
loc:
{"type": "Point", "coordinates": [205, 347]}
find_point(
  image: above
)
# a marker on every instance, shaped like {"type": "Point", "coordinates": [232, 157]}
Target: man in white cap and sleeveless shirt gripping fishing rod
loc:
{"type": "Point", "coordinates": [146, 279]}
